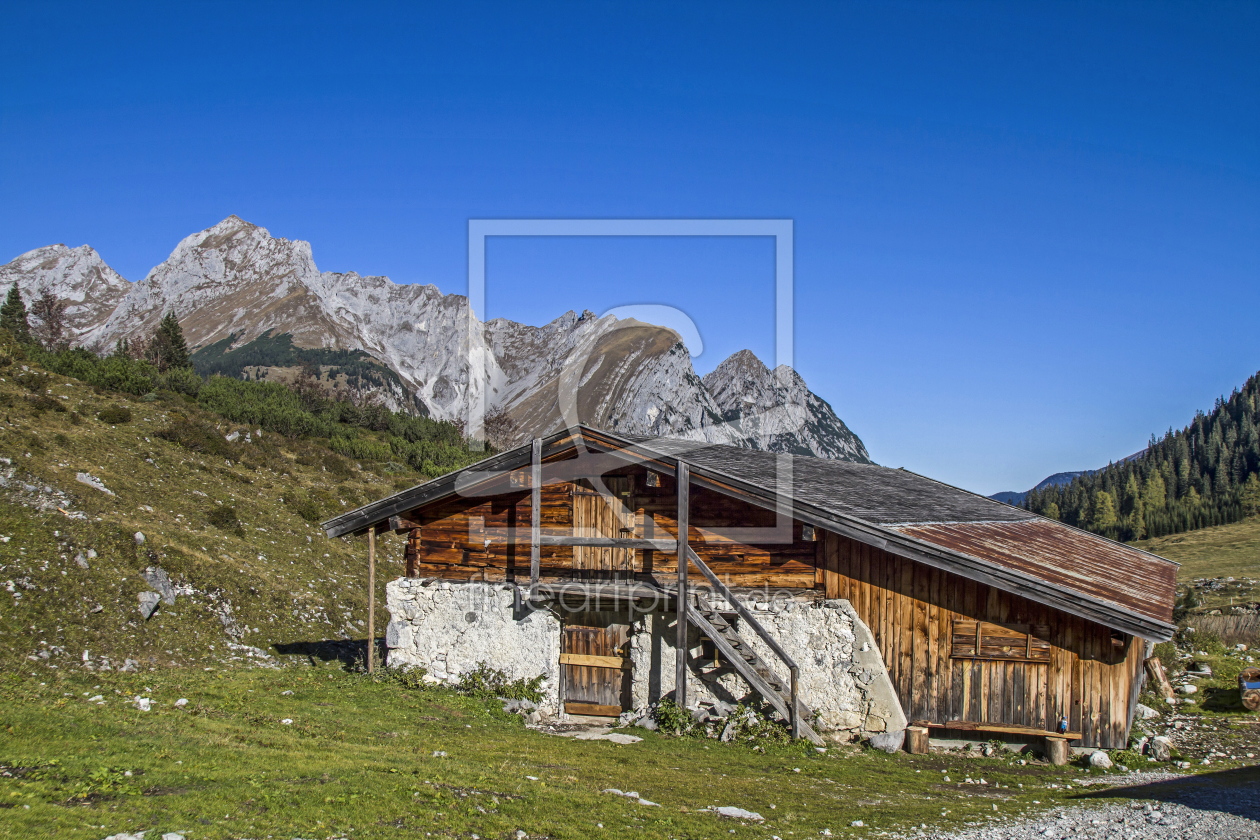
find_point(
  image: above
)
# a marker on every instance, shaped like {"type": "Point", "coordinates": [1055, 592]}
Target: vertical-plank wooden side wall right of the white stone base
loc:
{"type": "Point", "coordinates": [910, 609]}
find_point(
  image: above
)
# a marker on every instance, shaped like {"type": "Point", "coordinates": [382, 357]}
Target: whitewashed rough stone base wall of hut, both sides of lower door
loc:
{"type": "Point", "coordinates": [448, 629]}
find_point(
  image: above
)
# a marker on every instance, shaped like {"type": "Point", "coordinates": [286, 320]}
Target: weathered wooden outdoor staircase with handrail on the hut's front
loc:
{"type": "Point", "coordinates": [779, 693]}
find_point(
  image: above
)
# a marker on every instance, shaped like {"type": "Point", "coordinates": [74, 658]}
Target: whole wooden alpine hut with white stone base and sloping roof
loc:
{"type": "Point", "coordinates": [849, 599]}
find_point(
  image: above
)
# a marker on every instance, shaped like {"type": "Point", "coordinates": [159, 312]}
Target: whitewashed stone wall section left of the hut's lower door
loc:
{"type": "Point", "coordinates": [448, 629]}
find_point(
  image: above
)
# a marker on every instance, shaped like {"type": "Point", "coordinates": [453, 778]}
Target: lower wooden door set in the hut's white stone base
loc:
{"type": "Point", "coordinates": [595, 666]}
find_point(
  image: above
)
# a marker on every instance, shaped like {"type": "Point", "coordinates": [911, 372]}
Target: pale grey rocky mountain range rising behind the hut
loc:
{"type": "Point", "coordinates": [235, 288]}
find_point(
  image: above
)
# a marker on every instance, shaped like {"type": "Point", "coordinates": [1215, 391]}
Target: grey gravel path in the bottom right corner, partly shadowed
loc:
{"type": "Point", "coordinates": [1218, 807]}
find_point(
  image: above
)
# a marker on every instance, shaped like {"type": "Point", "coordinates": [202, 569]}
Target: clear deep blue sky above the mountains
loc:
{"type": "Point", "coordinates": [1028, 235]}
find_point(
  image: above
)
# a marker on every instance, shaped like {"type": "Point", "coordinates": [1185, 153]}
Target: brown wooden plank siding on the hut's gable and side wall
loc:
{"type": "Point", "coordinates": [910, 608]}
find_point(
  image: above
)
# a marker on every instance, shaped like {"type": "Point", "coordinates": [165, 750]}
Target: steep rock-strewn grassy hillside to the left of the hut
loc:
{"type": "Point", "coordinates": [231, 523]}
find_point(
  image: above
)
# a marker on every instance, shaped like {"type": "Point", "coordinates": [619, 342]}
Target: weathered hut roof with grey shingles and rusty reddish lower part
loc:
{"type": "Point", "coordinates": [898, 511]}
